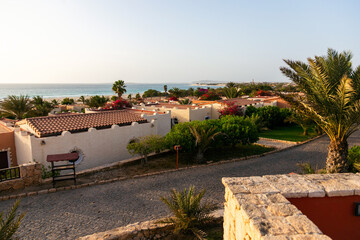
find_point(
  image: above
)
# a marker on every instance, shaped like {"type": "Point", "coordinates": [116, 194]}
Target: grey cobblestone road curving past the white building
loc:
{"type": "Point", "coordinates": [69, 214]}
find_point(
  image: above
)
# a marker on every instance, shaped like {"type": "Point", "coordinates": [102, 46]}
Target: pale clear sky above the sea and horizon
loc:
{"type": "Point", "coordinates": [168, 41]}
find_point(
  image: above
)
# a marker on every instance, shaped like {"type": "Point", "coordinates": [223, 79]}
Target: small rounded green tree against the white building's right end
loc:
{"type": "Point", "coordinates": [145, 145]}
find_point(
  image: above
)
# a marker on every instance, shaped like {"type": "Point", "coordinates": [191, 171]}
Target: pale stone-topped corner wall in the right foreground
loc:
{"type": "Point", "coordinates": [257, 208]}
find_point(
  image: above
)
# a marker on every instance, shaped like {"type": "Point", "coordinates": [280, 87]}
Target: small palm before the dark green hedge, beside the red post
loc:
{"type": "Point", "coordinates": [204, 135]}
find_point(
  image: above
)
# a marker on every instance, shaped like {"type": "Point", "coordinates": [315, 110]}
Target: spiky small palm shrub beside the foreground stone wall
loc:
{"type": "Point", "coordinates": [190, 215]}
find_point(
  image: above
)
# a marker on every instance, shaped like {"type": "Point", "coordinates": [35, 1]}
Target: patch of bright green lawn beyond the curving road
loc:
{"type": "Point", "coordinates": [292, 133]}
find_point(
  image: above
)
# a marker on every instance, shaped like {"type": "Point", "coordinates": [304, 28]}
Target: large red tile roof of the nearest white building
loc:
{"type": "Point", "coordinates": [55, 125]}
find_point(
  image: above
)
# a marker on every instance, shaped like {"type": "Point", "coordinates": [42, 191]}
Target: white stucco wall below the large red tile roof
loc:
{"type": "Point", "coordinates": [98, 146]}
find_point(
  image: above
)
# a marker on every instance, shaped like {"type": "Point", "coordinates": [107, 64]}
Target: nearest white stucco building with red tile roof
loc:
{"type": "Point", "coordinates": [100, 138]}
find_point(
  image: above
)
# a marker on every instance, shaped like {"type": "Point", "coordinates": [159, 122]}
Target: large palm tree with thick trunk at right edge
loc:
{"type": "Point", "coordinates": [332, 90]}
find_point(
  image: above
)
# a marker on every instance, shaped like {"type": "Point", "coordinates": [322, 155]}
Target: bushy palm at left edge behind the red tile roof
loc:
{"type": "Point", "coordinates": [16, 106]}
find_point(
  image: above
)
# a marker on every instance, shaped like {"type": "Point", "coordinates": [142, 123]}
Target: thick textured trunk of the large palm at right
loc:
{"type": "Point", "coordinates": [336, 160]}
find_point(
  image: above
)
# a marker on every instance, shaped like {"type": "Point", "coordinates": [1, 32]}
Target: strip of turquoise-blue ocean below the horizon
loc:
{"type": "Point", "coordinates": [76, 90]}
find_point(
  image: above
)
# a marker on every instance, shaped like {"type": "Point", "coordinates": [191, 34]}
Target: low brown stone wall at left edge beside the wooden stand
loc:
{"type": "Point", "coordinates": [30, 174]}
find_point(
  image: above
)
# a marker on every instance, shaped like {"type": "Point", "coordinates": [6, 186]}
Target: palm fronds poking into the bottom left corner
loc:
{"type": "Point", "coordinates": [10, 224]}
